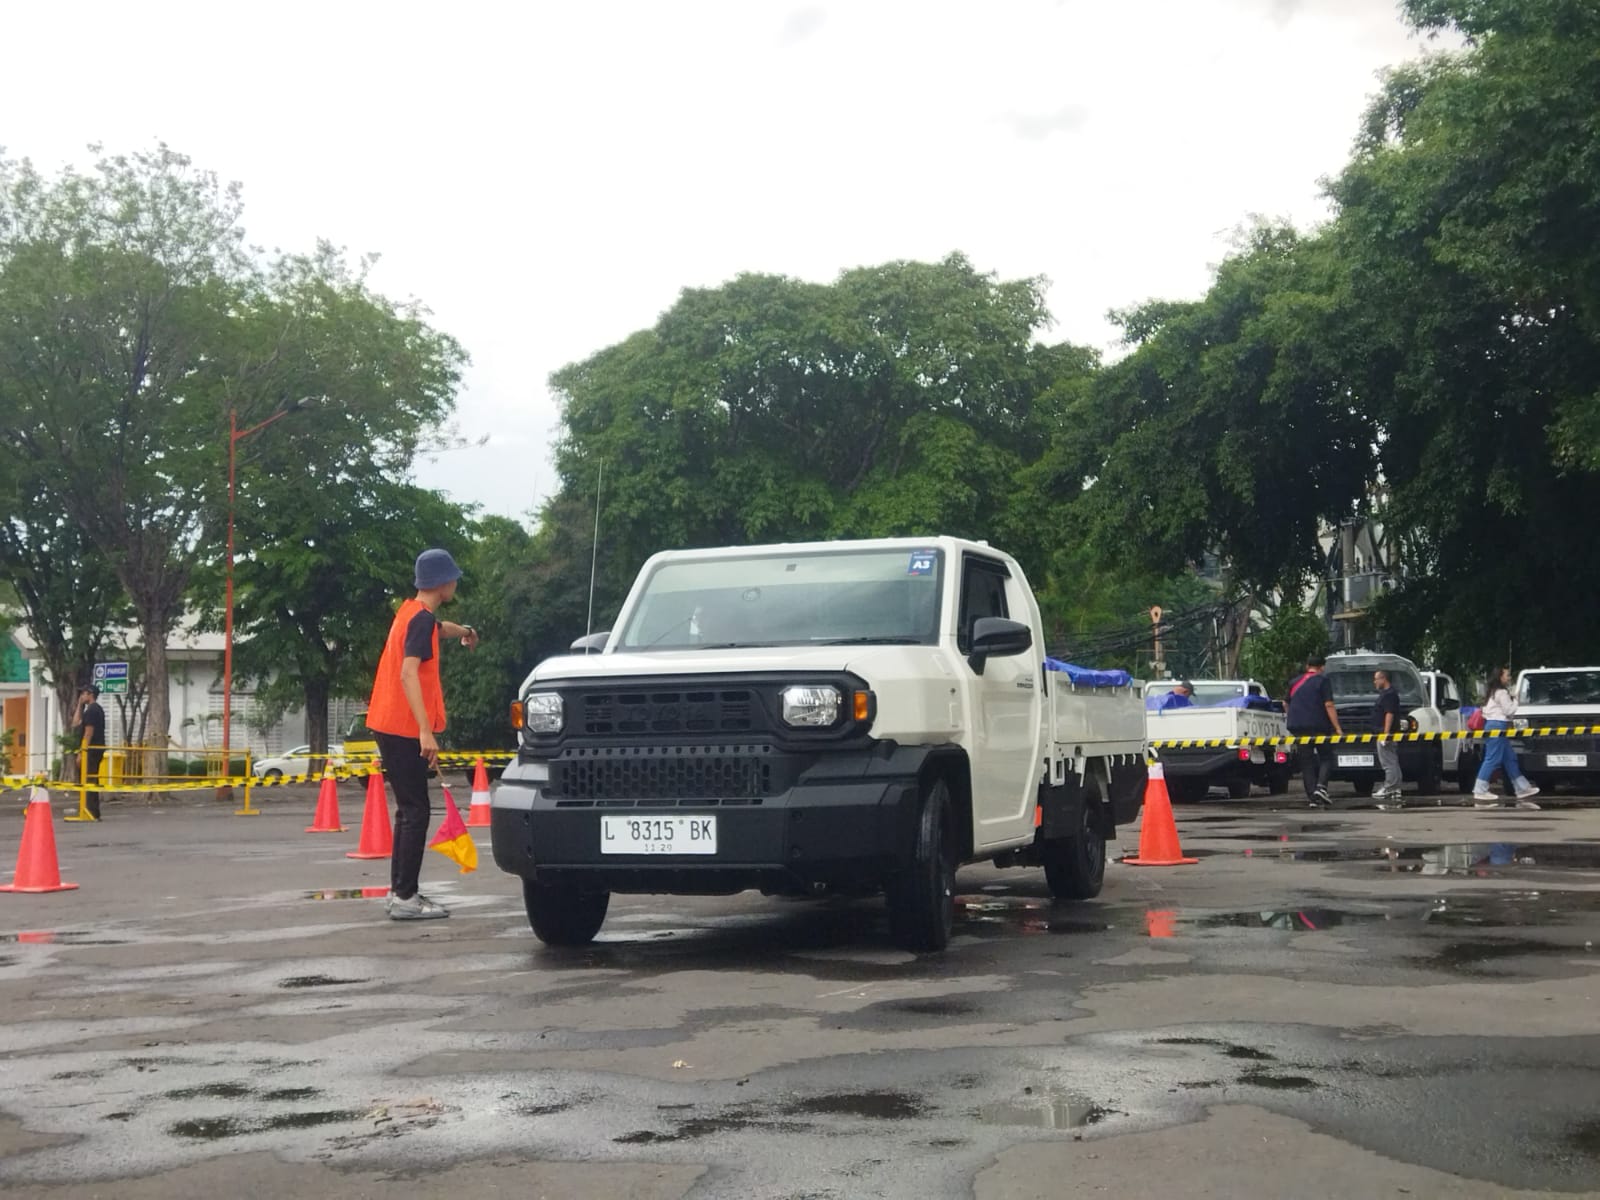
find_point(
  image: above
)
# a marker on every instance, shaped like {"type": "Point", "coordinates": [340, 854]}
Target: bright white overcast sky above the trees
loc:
{"type": "Point", "coordinates": [548, 178]}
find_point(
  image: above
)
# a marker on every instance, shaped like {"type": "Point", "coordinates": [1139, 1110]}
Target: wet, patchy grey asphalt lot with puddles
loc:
{"type": "Point", "coordinates": [1327, 1004]}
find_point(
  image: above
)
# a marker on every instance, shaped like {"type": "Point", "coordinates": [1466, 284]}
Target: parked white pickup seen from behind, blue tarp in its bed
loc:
{"type": "Point", "coordinates": [1222, 710]}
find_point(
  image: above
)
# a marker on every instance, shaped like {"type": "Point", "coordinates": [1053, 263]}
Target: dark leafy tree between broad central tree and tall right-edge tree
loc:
{"type": "Point", "coordinates": [1230, 430]}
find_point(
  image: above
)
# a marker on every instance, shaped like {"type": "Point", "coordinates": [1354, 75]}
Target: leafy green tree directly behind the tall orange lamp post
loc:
{"type": "Point", "coordinates": [327, 524]}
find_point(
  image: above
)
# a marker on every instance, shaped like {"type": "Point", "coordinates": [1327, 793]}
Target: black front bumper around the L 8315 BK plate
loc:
{"type": "Point", "coordinates": [839, 825]}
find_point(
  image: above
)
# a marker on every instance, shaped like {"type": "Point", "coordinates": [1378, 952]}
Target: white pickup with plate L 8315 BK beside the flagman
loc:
{"type": "Point", "coordinates": [812, 719]}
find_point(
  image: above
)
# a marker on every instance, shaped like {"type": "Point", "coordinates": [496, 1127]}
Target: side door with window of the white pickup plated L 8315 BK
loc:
{"type": "Point", "coordinates": [1006, 754]}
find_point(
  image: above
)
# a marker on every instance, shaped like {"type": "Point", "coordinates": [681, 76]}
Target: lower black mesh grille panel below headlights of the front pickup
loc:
{"type": "Point", "coordinates": [663, 774]}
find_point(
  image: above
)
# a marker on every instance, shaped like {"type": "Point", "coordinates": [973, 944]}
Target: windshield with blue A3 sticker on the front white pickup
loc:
{"type": "Point", "coordinates": [790, 601]}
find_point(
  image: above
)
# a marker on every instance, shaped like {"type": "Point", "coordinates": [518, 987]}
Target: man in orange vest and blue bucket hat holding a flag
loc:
{"type": "Point", "coordinates": [406, 714]}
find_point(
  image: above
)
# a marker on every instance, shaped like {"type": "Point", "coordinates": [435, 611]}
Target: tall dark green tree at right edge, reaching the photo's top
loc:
{"type": "Point", "coordinates": [1468, 225]}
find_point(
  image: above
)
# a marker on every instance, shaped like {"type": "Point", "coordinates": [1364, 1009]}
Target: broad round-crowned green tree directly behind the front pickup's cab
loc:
{"type": "Point", "coordinates": [898, 401]}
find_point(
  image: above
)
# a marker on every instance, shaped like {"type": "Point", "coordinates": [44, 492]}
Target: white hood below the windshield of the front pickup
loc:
{"type": "Point", "coordinates": [866, 662]}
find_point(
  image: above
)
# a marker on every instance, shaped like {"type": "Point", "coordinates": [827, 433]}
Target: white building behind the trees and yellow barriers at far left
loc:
{"type": "Point", "coordinates": [194, 681]}
